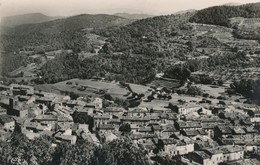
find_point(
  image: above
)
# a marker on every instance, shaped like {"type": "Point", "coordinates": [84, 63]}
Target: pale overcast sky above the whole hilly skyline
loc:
{"type": "Point", "coordinates": [73, 7]}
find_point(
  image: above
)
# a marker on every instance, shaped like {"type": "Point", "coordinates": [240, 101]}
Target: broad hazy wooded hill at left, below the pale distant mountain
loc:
{"type": "Point", "coordinates": [58, 33]}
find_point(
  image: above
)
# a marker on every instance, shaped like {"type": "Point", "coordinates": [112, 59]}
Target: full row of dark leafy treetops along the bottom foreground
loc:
{"type": "Point", "coordinates": [42, 152]}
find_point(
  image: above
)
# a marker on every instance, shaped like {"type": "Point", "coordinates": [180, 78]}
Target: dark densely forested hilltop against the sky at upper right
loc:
{"type": "Point", "coordinates": [219, 15]}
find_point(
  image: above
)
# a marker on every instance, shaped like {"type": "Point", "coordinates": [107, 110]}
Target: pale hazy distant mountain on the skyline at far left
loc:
{"type": "Point", "coordinates": [32, 18]}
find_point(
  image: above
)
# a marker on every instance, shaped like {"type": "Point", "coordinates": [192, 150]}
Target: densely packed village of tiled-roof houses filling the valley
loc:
{"type": "Point", "coordinates": [200, 129]}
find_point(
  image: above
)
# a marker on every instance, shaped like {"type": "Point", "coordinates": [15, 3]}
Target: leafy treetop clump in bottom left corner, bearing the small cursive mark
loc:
{"type": "Point", "coordinates": [21, 148]}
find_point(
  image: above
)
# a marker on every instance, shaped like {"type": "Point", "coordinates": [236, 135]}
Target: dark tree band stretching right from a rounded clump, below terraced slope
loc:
{"type": "Point", "coordinates": [184, 71]}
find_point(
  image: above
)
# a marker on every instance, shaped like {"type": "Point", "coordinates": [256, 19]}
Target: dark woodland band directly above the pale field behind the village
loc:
{"type": "Point", "coordinates": [121, 67]}
